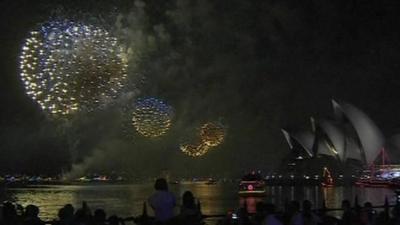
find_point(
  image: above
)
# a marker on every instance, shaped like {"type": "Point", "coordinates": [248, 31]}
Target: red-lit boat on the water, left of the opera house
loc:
{"type": "Point", "coordinates": [252, 185]}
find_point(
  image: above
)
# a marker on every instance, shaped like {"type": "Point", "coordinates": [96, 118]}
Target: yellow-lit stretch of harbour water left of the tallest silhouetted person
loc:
{"type": "Point", "coordinates": [117, 199]}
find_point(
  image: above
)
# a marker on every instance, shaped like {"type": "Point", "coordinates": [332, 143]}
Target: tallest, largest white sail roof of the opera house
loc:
{"type": "Point", "coordinates": [368, 133]}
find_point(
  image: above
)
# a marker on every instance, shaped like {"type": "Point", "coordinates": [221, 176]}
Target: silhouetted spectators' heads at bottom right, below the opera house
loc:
{"type": "Point", "coordinates": [297, 214]}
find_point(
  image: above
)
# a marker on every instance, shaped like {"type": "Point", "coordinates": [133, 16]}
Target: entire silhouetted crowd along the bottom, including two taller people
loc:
{"type": "Point", "coordinates": [163, 203]}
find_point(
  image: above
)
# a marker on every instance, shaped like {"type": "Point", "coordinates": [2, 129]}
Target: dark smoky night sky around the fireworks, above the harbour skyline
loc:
{"type": "Point", "coordinates": [256, 65]}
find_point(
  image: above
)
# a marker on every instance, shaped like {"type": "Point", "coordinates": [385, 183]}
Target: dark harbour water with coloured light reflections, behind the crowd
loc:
{"type": "Point", "coordinates": [127, 200]}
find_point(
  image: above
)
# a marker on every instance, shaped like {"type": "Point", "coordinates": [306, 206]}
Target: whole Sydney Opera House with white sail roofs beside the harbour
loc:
{"type": "Point", "coordinates": [350, 135]}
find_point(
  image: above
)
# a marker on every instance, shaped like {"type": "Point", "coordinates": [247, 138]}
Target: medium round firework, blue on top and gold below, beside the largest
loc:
{"type": "Point", "coordinates": [152, 117]}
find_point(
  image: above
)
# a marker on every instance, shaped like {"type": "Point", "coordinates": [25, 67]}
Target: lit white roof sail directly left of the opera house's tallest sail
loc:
{"type": "Point", "coordinates": [336, 136]}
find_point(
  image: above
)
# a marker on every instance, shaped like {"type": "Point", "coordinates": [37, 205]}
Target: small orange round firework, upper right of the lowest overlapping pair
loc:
{"type": "Point", "coordinates": [212, 134]}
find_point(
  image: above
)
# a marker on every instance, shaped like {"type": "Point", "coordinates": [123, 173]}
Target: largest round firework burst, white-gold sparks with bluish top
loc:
{"type": "Point", "coordinates": [68, 66]}
